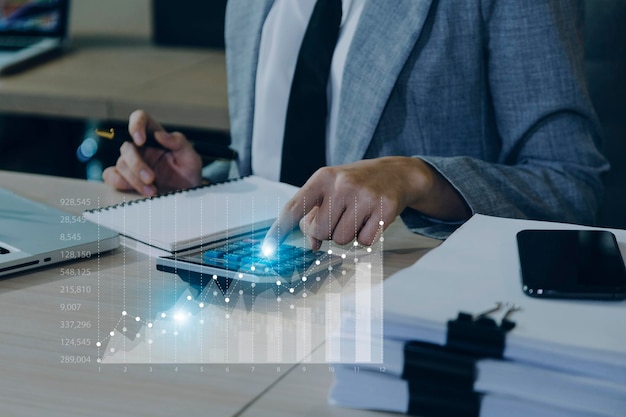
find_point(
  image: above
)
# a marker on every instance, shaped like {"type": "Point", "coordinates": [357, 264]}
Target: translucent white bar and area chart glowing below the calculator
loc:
{"type": "Point", "coordinates": [248, 323]}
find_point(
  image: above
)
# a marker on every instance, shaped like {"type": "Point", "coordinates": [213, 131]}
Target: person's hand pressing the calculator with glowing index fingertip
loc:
{"type": "Point", "coordinates": [359, 200]}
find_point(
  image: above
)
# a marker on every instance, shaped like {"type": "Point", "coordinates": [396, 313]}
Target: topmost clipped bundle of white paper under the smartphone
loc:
{"type": "Point", "coordinates": [476, 267]}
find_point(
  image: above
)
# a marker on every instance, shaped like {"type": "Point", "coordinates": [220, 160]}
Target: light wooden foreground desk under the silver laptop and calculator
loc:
{"type": "Point", "coordinates": [35, 338]}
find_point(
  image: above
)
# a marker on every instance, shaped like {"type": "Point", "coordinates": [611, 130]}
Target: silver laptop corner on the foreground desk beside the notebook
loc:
{"type": "Point", "coordinates": [34, 235]}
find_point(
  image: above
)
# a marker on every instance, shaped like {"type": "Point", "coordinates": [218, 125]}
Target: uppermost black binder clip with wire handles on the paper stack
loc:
{"type": "Point", "coordinates": [480, 334]}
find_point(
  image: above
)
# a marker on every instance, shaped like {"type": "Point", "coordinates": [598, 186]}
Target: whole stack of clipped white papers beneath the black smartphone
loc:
{"type": "Point", "coordinates": [562, 358]}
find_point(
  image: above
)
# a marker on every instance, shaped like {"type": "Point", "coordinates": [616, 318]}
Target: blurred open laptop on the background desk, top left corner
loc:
{"type": "Point", "coordinates": [30, 31]}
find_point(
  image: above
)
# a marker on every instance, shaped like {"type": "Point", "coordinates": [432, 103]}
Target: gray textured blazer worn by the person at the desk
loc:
{"type": "Point", "coordinates": [491, 93]}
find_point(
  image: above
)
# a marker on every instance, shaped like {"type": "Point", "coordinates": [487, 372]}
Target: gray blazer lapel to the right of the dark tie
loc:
{"type": "Point", "coordinates": [388, 30]}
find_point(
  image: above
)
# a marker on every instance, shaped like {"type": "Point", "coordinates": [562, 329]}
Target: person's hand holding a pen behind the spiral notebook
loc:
{"type": "Point", "coordinates": [150, 170]}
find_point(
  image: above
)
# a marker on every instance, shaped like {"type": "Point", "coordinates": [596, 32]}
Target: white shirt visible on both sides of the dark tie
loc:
{"type": "Point", "coordinates": [281, 37]}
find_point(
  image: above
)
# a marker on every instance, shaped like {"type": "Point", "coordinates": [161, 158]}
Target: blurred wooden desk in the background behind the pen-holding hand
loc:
{"type": "Point", "coordinates": [106, 77]}
